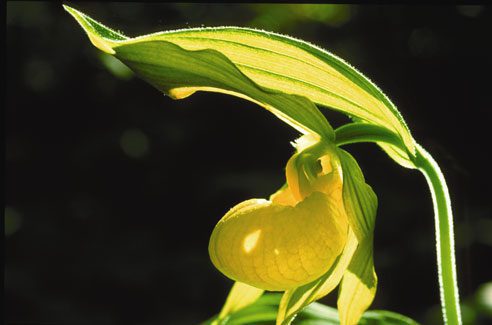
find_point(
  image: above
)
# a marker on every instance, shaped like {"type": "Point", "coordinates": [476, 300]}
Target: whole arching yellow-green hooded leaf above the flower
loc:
{"type": "Point", "coordinates": [226, 55]}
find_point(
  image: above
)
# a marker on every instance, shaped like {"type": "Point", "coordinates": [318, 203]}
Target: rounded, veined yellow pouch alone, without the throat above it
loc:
{"type": "Point", "coordinates": [278, 247]}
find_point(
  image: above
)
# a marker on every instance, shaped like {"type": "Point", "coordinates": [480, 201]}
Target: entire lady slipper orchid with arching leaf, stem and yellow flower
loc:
{"type": "Point", "coordinates": [316, 232]}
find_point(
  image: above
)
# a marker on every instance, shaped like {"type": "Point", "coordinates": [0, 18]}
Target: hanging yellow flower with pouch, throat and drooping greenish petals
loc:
{"type": "Point", "coordinates": [307, 238]}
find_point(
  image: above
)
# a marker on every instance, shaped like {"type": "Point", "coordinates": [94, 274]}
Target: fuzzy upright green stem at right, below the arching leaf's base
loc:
{"type": "Point", "coordinates": [446, 264]}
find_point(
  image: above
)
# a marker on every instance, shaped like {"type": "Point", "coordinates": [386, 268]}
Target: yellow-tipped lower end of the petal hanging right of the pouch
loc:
{"type": "Point", "coordinates": [358, 286]}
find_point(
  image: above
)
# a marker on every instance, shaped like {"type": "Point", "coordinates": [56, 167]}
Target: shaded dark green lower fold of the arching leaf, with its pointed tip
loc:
{"type": "Point", "coordinates": [179, 72]}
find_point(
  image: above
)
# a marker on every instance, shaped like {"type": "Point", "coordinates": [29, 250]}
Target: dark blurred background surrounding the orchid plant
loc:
{"type": "Point", "coordinates": [112, 189]}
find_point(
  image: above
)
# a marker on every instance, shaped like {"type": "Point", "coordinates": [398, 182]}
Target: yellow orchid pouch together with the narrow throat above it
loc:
{"type": "Point", "coordinates": [292, 239]}
